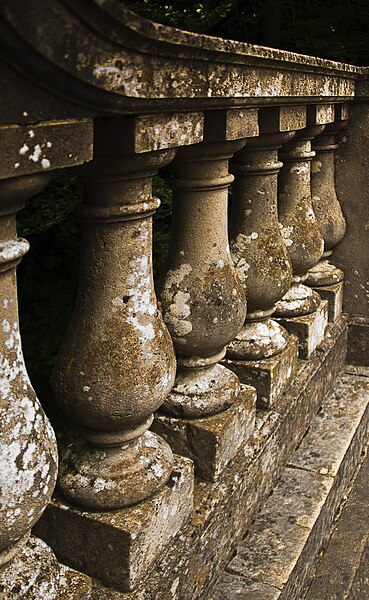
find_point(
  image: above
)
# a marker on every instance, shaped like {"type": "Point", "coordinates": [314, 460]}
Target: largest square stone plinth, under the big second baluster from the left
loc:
{"type": "Point", "coordinates": [118, 547]}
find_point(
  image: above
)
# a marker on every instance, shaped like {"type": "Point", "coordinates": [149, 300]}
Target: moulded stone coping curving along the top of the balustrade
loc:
{"type": "Point", "coordinates": [138, 65]}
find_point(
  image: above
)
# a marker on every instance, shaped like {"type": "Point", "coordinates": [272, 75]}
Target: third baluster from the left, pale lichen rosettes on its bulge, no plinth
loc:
{"type": "Point", "coordinates": [203, 301]}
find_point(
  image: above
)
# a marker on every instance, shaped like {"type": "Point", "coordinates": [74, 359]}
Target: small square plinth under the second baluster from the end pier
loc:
{"type": "Point", "coordinates": [309, 329]}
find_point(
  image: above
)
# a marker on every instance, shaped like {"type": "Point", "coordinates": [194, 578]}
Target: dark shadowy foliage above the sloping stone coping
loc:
{"type": "Point", "coordinates": [331, 29]}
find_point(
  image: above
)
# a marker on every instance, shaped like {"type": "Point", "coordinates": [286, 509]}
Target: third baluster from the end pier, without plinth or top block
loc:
{"type": "Point", "coordinates": [257, 247]}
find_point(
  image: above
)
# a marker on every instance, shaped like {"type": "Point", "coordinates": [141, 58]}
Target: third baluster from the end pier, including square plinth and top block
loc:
{"type": "Point", "coordinates": [262, 354]}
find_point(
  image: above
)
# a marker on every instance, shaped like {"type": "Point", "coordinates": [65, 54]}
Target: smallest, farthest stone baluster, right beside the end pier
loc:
{"type": "Point", "coordinates": [325, 202]}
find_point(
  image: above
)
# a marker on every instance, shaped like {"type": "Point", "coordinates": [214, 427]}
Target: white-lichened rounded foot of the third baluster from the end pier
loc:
{"type": "Point", "coordinates": [258, 340]}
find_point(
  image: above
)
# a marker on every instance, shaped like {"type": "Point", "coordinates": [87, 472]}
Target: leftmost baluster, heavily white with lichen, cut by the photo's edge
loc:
{"type": "Point", "coordinates": [28, 455]}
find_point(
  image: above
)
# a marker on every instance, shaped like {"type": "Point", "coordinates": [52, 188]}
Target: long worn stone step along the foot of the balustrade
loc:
{"type": "Point", "coordinates": [277, 557]}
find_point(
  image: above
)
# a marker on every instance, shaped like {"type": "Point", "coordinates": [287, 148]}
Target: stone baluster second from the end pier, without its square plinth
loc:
{"type": "Point", "coordinates": [300, 228]}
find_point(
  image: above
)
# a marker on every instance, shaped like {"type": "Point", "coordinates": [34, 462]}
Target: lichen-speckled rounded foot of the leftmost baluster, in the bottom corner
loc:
{"type": "Point", "coordinates": [33, 573]}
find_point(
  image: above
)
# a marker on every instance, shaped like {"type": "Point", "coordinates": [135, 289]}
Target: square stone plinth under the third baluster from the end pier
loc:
{"type": "Point", "coordinates": [271, 376]}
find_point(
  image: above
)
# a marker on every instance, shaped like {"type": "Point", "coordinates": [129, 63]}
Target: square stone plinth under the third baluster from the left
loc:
{"type": "Point", "coordinates": [212, 442]}
